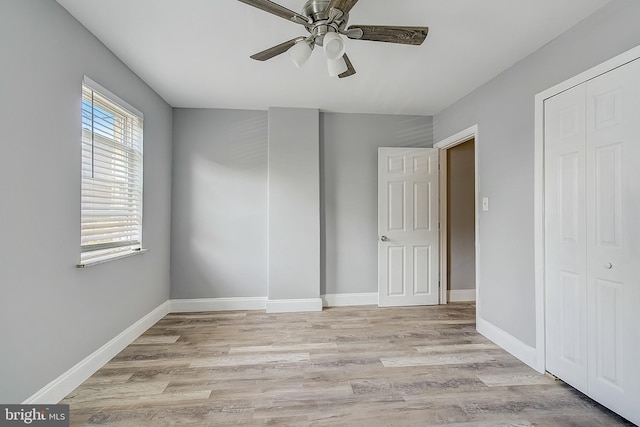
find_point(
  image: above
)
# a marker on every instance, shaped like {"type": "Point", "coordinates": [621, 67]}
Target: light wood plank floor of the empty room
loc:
{"type": "Point", "coordinates": [352, 366]}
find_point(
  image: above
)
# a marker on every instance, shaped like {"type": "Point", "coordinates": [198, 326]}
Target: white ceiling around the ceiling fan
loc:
{"type": "Point", "coordinates": [195, 53]}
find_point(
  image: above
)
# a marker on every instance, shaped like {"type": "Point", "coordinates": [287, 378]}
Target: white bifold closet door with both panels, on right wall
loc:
{"type": "Point", "coordinates": [592, 238]}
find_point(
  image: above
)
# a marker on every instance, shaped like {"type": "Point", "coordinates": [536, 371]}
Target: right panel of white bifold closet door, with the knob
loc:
{"type": "Point", "coordinates": [613, 245]}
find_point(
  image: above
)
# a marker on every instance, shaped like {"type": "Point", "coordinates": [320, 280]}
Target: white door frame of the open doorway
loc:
{"type": "Point", "coordinates": [444, 145]}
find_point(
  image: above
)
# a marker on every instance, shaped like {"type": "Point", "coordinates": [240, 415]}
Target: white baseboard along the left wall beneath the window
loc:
{"type": "Point", "coordinates": [68, 381]}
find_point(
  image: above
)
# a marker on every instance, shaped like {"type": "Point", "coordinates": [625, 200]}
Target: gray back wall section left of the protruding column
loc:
{"type": "Point", "coordinates": [219, 218]}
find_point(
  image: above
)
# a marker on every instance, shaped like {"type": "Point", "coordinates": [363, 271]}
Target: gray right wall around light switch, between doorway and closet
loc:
{"type": "Point", "coordinates": [504, 110]}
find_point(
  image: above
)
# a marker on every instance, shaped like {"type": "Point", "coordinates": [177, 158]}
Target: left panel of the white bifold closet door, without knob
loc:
{"type": "Point", "coordinates": [565, 254]}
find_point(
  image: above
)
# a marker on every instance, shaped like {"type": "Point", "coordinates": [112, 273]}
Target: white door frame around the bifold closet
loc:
{"type": "Point", "coordinates": [539, 190]}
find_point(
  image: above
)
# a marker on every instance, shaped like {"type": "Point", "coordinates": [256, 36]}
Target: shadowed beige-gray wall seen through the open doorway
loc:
{"type": "Point", "coordinates": [461, 218]}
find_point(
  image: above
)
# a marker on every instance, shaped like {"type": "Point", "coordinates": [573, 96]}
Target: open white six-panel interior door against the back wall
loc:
{"type": "Point", "coordinates": [408, 217]}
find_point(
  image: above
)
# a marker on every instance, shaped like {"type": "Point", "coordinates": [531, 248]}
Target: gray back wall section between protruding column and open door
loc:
{"type": "Point", "coordinates": [349, 164]}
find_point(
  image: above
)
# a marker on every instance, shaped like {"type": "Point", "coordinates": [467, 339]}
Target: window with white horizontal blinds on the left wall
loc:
{"type": "Point", "coordinates": [111, 195]}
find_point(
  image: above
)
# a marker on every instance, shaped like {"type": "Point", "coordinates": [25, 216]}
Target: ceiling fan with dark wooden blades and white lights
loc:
{"type": "Point", "coordinates": [326, 21]}
